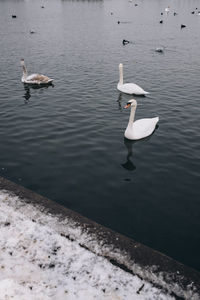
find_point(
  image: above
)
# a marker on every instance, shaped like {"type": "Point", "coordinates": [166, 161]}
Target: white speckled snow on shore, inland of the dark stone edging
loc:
{"type": "Point", "coordinates": [37, 262]}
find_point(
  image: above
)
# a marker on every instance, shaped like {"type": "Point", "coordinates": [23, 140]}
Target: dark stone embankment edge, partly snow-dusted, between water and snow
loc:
{"type": "Point", "coordinates": [162, 271]}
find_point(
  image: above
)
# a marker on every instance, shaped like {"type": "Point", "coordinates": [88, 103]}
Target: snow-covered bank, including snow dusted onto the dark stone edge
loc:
{"type": "Point", "coordinates": [45, 256]}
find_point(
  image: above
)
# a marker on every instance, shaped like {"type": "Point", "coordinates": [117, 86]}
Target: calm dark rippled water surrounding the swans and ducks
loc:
{"type": "Point", "coordinates": [66, 142]}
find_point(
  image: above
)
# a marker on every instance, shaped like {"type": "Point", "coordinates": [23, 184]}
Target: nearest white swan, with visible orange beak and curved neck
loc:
{"type": "Point", "coordinates": [140, 128]}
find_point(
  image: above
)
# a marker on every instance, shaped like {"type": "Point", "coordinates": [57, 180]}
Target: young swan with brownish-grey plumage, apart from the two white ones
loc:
{"type": "Point", "coordinates": [33, 78]}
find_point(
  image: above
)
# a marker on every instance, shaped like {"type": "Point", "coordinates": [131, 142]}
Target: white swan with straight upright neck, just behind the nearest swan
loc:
{"type": "Point", "coordinates": [129, 88]}
